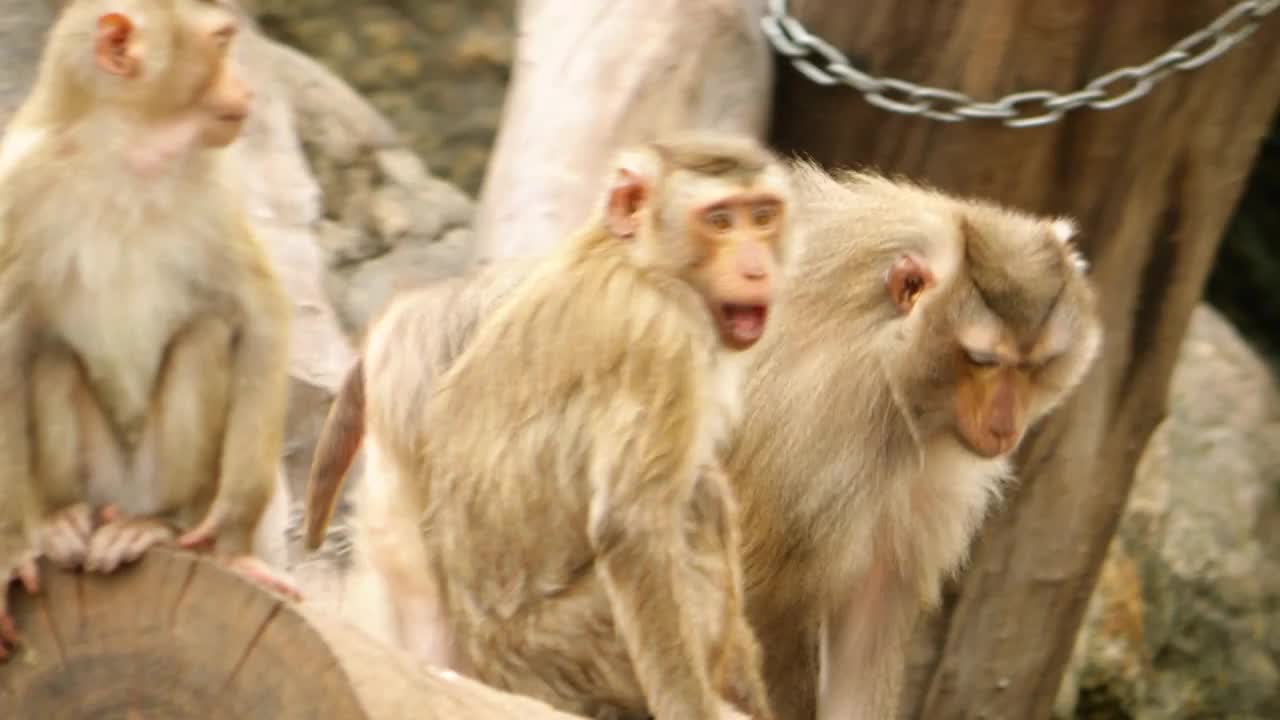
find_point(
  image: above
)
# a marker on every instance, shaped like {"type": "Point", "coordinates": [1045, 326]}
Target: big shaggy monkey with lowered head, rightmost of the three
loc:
{"type": "Point", "coordinates": [921, 338]}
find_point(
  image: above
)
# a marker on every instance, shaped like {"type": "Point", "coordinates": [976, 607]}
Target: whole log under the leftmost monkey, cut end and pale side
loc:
{"type": "Point", "coordinates": [179, 637]}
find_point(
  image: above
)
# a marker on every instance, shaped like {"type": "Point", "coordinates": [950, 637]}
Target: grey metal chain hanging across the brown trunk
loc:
{"type": "Point", "coordinates": [1021, 110]}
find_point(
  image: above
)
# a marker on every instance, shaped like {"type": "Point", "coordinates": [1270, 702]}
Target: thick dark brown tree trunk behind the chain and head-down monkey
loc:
{"type": "Point", "coordinates": [1154, 184]}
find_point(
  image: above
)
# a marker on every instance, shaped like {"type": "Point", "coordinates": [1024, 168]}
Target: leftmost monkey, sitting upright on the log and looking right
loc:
{"type": "Point", "coordinates": [144, 336]}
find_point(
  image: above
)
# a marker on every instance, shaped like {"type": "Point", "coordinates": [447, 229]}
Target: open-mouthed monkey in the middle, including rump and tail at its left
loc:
{"type": "Point", "coordinates": [550, 513]}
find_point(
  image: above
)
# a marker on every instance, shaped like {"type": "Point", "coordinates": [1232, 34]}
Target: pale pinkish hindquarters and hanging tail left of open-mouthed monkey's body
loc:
{"type": "Point", "coordinates": [410, 344]}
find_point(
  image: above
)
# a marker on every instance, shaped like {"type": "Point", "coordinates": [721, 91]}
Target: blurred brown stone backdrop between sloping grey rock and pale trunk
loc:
{"type": "Point", "coordinates": [438, 70]}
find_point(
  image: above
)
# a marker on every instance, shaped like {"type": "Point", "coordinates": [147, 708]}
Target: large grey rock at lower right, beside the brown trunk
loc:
{"type": "Point", "coordinates": [1186, 618]}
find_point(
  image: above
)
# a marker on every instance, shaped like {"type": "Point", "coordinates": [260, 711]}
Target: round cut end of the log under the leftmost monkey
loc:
{"type": "Point", "coordinates": [175, 636]}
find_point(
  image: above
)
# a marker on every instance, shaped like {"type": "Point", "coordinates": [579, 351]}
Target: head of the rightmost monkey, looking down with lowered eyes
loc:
{"type": "Point", "coordinates": [1004, 326]}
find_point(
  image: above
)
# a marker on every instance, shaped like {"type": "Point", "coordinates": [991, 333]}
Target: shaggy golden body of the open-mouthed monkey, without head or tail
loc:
{"type": "Point", "coordinates": [525, 612]}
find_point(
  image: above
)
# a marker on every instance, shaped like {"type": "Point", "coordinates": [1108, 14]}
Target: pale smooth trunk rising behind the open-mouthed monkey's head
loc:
{"type": "Point", "coordinates": [593, 76]}
